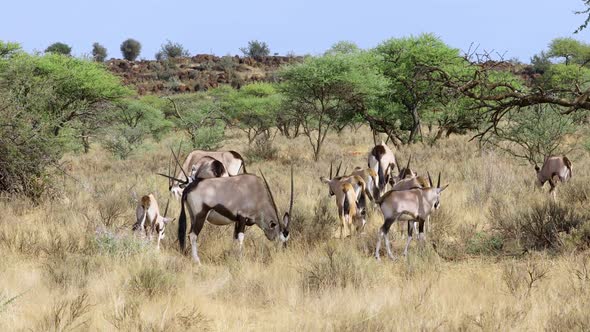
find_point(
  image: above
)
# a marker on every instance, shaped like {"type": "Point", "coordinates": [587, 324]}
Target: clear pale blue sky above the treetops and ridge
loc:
{"type": "Point", "coordinates": [517, 28]}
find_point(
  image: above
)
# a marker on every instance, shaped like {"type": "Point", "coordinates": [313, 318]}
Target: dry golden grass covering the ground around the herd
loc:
{"type": "Point", "coordinates": [72, 263]}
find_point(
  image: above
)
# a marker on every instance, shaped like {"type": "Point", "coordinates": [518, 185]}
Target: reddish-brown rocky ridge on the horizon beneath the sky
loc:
{"type": "Point", "coordinates": [197, 73]}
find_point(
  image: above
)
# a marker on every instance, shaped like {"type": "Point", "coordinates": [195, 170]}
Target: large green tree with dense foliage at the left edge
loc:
{"type": "Point", "coordinates": [47, 101]}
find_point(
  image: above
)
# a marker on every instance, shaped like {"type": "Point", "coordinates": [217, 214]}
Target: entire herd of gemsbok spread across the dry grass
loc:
{"type": "Point", "coordinates": [211, 187]}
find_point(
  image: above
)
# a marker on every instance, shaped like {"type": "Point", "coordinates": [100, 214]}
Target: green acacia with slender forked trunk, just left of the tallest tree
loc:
{"type": "Point", "coordinates": [321, 91]}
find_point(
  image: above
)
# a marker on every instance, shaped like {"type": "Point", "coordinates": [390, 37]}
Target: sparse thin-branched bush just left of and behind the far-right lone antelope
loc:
{"type": "Point", "coordinates": [533, 133]}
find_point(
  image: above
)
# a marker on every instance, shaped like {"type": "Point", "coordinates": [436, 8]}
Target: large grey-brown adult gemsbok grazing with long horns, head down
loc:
{"type": "Point", "coordinates": [244, 200]}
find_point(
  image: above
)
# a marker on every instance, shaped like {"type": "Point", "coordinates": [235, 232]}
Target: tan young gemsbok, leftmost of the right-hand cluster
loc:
{"type": "Point", "coordinates": [350, 200]}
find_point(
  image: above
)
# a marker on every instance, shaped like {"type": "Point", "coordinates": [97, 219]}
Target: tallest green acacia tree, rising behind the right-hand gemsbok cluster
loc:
{"type": "Point", "coordinates": [413, 89]}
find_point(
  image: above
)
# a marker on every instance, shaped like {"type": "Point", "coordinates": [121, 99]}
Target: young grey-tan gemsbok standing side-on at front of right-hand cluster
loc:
{"type": "Point", "coordinates": [407, 205]}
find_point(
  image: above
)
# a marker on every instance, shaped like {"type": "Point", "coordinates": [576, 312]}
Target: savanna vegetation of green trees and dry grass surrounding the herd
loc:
{"type": "Point", "coordinates": [75, 144]}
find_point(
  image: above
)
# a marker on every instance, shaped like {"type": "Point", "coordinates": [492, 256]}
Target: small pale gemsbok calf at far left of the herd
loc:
{"type": "Point", "coordinates": [149, 219]}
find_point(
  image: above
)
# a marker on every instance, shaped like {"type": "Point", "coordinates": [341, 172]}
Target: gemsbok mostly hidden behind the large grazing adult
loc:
{"type": "Point", "coordinates": [231, 160]}
